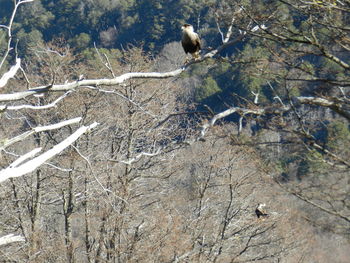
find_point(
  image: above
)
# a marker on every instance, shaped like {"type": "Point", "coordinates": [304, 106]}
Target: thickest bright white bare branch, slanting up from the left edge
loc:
{"type": "Point", "coordinates": [31, 165]}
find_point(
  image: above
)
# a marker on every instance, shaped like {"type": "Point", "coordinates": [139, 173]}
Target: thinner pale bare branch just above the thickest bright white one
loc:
{"type": "Point", "coordinates": [7, 142]}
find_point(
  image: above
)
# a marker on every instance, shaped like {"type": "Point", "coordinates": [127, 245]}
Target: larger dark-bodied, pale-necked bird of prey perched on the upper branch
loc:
{"type": "Point", "coordinates": [190, 41]}
